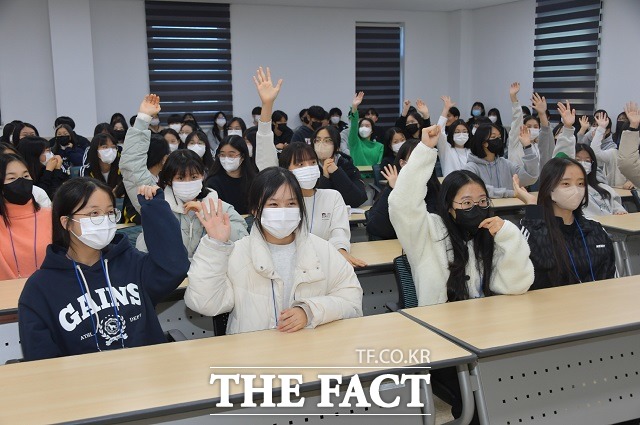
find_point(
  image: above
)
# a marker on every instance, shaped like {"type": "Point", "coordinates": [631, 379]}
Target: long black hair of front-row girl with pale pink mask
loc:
{"type": "Point", "coordinates": [550, 177]}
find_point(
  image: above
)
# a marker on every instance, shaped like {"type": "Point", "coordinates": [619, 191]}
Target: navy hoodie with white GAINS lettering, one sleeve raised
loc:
{"type": "Point", "coordinates": [53, 315]}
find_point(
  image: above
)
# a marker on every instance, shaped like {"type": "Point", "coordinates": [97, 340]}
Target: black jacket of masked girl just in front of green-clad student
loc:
{"type": "Point", "coordinates": [346, 180]}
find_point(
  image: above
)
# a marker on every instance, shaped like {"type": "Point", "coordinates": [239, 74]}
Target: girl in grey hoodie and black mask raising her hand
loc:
{"type": "Point", "coordinates": [485, 161]}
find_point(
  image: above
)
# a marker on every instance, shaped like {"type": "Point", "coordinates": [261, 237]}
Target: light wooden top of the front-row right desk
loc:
{"type": "Point", "coordinates": [508, 323]}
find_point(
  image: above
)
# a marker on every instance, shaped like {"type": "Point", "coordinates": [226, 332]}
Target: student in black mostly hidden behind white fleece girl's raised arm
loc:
{"type": "Point", "coordinates": [379, 225]}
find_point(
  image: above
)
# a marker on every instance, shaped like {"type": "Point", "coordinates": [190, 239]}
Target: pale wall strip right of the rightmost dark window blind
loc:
{"type": "Point", "coordinates": [619, 57]}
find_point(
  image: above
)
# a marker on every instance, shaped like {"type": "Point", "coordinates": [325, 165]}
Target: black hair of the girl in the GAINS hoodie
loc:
{"type": "Point", "coordinates": [73, 196]}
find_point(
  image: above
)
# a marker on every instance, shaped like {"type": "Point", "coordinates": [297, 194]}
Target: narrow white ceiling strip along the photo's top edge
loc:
{"type": "Point", "coordinates": [413, 5]}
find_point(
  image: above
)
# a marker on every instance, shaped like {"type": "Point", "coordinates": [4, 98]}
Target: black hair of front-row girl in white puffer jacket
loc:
{"type": "Point", "coordinates": [265, 185]}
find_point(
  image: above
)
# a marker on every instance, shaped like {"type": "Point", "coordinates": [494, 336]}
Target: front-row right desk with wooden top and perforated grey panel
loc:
{"type": "Point", "coordinates": [561, 355]}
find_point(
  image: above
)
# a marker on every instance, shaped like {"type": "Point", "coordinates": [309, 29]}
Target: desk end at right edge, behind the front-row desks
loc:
{"type": "Point", "coordinates": [620, 228]}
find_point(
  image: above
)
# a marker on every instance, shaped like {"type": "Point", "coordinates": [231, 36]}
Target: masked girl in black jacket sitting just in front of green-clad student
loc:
{"type": "Point", "coordinates": [338, 171]}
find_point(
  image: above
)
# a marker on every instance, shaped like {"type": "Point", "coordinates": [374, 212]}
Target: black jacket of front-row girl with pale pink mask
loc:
{"type": "Point", "coordinates": [600, 247]}
